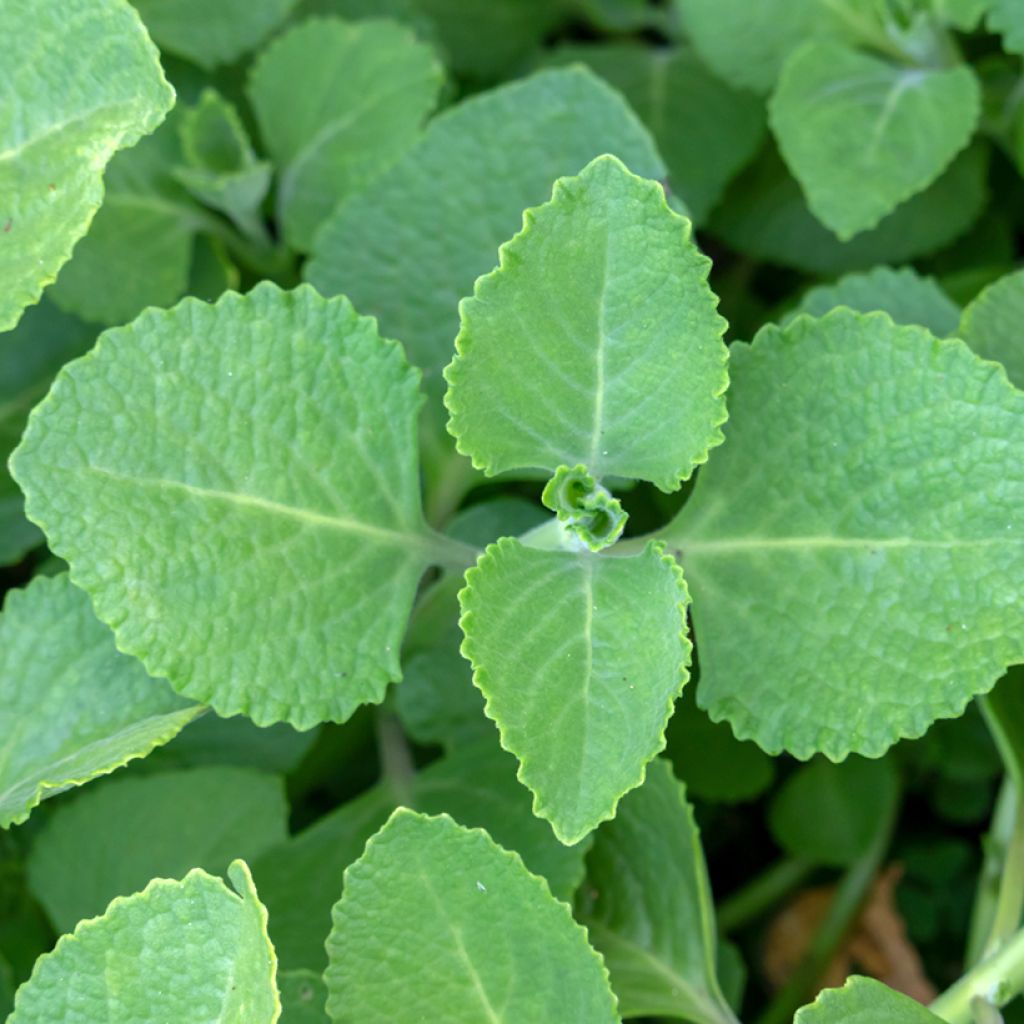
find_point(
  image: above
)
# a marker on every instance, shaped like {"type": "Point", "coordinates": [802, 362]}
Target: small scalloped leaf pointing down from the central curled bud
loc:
{"type": "Point", "coordinates": [581, 694]}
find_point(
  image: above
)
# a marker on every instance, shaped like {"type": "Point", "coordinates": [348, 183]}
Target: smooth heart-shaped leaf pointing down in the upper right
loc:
{"type": "Point", "coordinates": [863, 135]}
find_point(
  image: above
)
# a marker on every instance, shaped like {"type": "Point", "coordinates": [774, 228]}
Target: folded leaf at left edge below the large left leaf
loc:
{"type": "Point", "coordinates": [71, 707]}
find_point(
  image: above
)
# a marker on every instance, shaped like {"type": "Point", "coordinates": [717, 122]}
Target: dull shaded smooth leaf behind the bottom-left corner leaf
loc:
{"type": "Point", "coordinates": [129, 831]}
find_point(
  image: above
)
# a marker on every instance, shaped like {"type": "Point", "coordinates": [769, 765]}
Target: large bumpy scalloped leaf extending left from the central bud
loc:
{"type": "Point", "coordinates": [207, 473]}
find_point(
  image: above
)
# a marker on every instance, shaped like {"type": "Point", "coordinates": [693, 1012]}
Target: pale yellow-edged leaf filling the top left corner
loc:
{"type": "Point", "coordinates": [100, 90]}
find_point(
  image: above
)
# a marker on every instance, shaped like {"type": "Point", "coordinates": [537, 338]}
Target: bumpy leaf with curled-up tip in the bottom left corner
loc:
{"type": "Point", "coordinates": [189, 951]}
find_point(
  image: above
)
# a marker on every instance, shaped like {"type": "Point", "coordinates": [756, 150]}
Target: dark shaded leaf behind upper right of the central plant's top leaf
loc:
{"type": "Point", "coordinates": [686, 107]}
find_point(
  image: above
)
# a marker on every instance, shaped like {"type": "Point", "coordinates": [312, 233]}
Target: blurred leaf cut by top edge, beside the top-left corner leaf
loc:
{"type": "Point", "coordinates": [210, 35]}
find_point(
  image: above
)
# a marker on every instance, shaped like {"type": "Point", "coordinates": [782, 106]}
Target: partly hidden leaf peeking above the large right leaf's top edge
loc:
{"type": "Point", "coordinates": [906, 295]}
